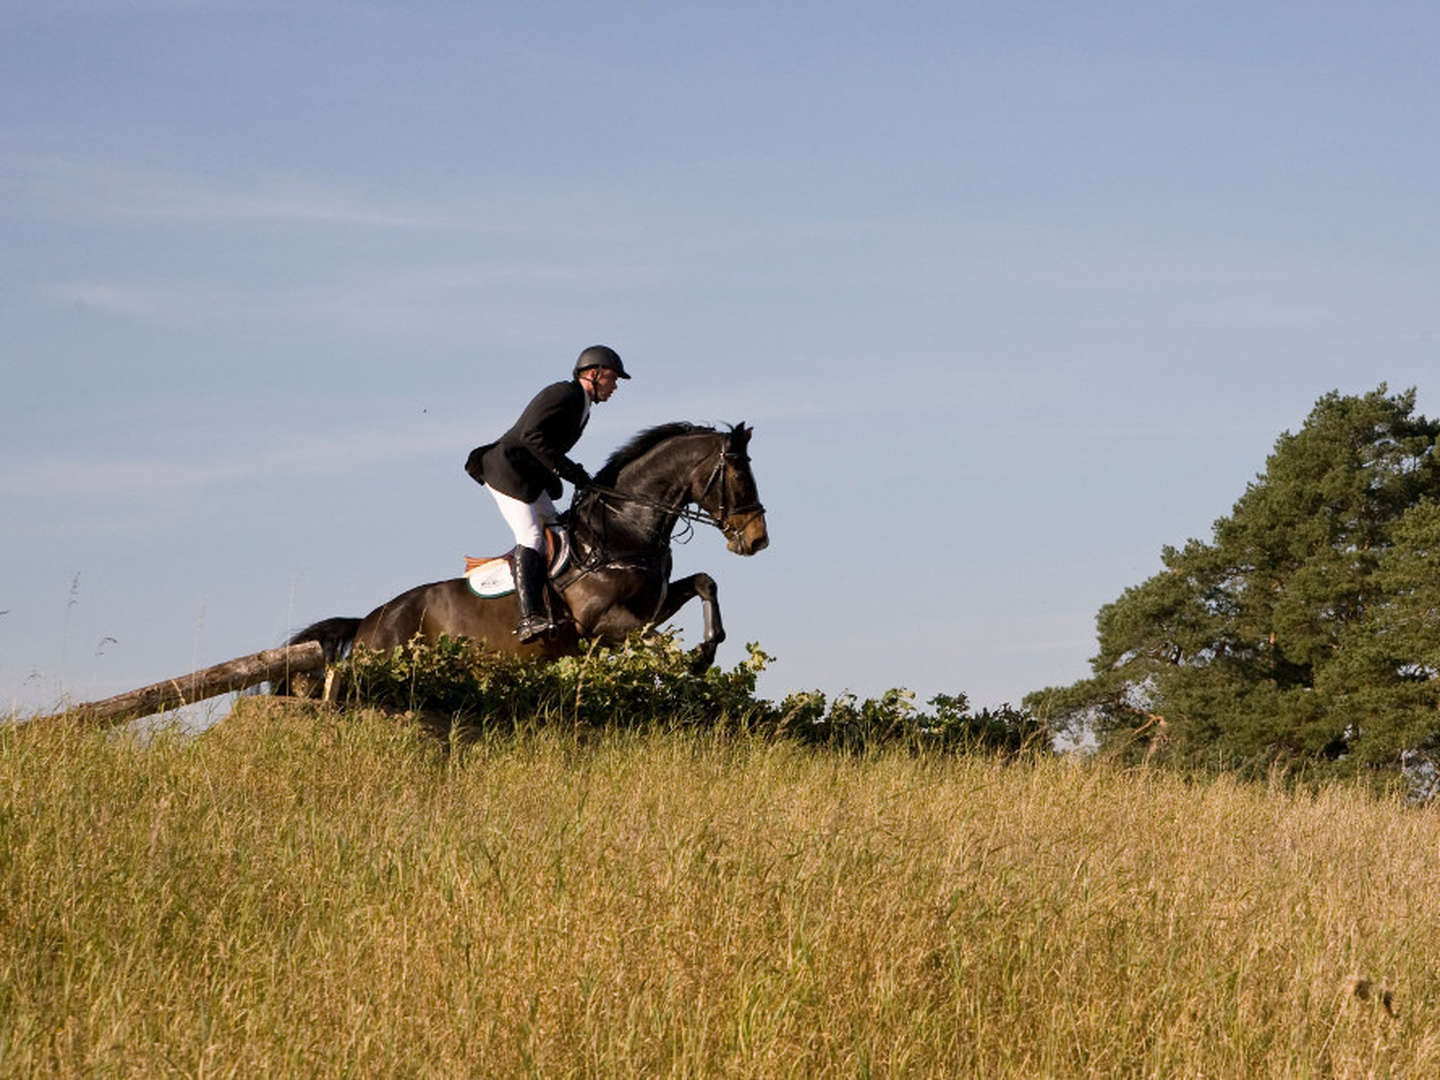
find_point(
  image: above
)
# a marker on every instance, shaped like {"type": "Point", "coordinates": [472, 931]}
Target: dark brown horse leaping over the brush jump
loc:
{"type": "Point", "coordinates": [621, 529]}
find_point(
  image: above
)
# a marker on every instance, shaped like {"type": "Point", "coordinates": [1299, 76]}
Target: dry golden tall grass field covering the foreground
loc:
{"type": "Point", "coordinates": [309, 896]}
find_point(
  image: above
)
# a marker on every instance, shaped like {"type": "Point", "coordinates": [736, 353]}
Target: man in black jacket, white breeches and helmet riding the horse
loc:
{"type": "Point", "coordinates": [525, 469]}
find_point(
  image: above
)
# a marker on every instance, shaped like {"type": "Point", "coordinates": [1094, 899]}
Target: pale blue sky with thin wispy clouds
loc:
{"type": "Point", "coordinates": [1013, 294]}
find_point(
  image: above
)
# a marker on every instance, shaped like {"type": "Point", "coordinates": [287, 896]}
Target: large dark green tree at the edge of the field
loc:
{"type": "Point", "coordinates": [1307, 633]}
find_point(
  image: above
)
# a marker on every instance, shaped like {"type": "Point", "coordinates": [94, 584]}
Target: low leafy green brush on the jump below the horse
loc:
{"type": "Point", "coordinates": [457, 686]}
